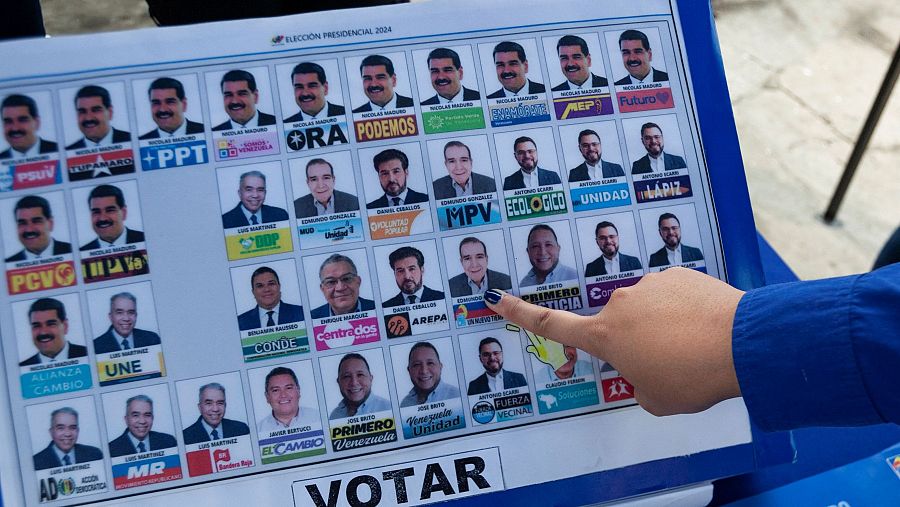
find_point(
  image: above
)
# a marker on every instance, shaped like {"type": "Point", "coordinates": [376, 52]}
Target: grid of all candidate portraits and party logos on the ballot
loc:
{"type": "Point", "coordinates": [367, 202]}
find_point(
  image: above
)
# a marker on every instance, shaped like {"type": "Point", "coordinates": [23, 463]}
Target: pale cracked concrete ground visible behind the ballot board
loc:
{"type": "Point", "coordinates": [802, 76]}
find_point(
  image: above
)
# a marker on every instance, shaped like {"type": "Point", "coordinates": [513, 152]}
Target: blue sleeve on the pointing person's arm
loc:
{"type": "Point", "coordinates": [821, 353]}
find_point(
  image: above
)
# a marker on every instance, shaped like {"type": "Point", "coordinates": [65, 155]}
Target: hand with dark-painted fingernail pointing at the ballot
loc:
{"type": "Point", "coordinates": [669, 336]}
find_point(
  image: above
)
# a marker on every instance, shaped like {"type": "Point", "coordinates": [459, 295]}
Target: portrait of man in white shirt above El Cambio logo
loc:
{"type": "Point", "coordinates": [283, 395]}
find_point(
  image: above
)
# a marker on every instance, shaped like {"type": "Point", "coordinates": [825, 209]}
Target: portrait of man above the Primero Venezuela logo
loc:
{"type": "Point", "coordinates": [354, 381]}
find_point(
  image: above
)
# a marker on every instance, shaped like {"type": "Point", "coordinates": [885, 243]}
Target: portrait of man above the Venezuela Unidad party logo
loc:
{"type": "Point", "coordinates": [424, 367]}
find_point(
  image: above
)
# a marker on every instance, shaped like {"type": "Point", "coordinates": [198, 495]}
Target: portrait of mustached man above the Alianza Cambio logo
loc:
{"type": "Point", "coordinates": [49, 327]}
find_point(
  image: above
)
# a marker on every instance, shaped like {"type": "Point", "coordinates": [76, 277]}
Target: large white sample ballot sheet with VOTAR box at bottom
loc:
{"type": "Point", "coordinates": [245, 262]}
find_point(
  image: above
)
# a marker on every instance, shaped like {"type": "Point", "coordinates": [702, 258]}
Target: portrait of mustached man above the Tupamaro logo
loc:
{"type": "Point", "coordinates": [94, 110]}
